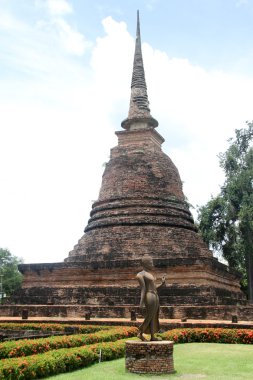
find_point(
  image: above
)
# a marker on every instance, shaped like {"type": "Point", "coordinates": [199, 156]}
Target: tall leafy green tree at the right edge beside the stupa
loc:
{"type": "Point", "coordinates": [226, 221]}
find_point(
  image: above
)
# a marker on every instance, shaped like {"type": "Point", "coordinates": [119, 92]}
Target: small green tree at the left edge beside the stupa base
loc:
{"type": "Point", "coordinates": [11, 277]}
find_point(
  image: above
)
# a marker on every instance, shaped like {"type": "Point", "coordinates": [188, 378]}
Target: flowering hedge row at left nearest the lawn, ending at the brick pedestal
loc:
{"type": "Point", "coordinates": [59, 361]}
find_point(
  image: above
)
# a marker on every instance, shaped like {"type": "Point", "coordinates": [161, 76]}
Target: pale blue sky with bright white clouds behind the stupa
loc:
{"type": "Point", "coordinates": [65, 74]}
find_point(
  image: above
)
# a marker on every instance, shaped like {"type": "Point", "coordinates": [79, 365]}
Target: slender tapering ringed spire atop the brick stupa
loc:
{"type": "Point", "coordinates": [139, 116]}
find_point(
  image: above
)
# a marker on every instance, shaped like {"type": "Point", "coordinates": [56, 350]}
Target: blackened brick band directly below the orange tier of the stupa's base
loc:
{"type": "Point", "coordinates": [112, 296]}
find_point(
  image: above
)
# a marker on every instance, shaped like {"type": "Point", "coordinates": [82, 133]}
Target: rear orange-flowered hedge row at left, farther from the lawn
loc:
{"type": "Point", "coordinates": [34, 346]}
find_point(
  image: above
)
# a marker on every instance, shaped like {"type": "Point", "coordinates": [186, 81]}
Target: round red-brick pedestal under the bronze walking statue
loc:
{"type": "Point", "coordinates": [149, 357]}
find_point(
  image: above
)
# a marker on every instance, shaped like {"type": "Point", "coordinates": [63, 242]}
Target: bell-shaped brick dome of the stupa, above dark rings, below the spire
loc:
{"type": "Point", "coordinates": [139, 169]}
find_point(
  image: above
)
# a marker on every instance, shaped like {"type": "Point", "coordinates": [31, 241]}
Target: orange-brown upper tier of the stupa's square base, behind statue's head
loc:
{"type": "Point", "coordinates": [190, 271]}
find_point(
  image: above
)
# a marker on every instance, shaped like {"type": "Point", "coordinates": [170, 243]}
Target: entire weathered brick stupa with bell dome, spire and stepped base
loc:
{"type": "Point", "coordinates": [141, 209]}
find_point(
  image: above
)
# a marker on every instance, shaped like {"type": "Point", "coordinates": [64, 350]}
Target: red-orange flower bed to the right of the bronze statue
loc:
{"type": "Point", "coordinates": [209, 335]}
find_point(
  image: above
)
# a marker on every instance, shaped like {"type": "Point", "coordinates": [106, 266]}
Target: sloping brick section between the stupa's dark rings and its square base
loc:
{"type": "Point", "coordinates": [124, 241]}
